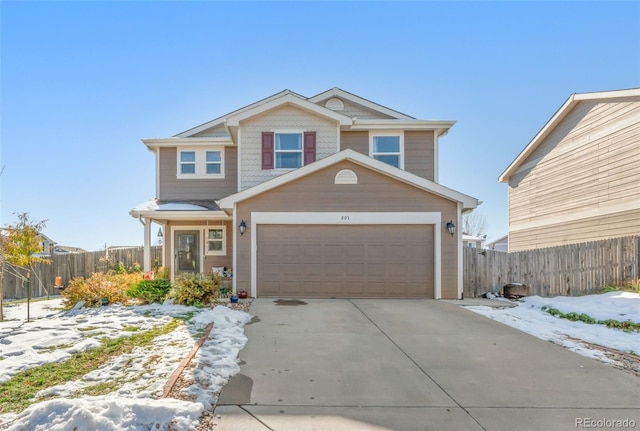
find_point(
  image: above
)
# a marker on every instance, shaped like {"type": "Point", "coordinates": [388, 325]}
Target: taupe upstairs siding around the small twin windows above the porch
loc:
{"type": "Point", "coordinates": [172, 188]}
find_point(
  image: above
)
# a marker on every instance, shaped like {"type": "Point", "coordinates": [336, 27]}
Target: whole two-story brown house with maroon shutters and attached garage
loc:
{"type": "Point", "coordinates": [327, 196]}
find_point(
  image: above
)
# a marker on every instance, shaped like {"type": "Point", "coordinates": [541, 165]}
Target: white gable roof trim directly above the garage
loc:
{"type": "Point", "coordinates": [468, 202]}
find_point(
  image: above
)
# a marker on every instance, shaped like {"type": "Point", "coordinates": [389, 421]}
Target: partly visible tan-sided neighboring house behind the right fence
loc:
{"type": "Point", "coordinates": [579, 178]}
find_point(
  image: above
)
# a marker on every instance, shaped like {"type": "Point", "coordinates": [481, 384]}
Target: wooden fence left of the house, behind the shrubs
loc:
{"type": "Point", "coordinates": [71, 265]}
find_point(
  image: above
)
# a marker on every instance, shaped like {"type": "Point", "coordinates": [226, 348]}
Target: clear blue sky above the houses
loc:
{"type": "Point", "coordinates": [83, 82]}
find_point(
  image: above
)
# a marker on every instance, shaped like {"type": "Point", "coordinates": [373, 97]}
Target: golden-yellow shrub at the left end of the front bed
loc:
{"type": "Point", "coordinates": [113, 287]}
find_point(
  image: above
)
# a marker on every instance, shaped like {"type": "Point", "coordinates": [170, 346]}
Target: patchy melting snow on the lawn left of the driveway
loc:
{"type": "Point", "coordinates": [139, 376]}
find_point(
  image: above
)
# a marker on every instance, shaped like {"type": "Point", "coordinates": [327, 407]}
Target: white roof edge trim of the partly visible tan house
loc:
{"type": "Point", "coordinates": [556, 119]}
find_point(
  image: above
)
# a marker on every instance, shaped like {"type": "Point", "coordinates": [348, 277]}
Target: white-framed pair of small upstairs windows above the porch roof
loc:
{"type": "Point", "coordinates": [201, 163]}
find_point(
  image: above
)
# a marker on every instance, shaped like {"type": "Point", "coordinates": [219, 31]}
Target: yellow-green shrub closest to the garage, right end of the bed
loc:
{"type": "Point", "coordinates": [198, 290]}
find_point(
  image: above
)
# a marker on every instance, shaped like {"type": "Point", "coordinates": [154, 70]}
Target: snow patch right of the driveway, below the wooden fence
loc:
{"type": "Point", "coordinates": [529, 317]}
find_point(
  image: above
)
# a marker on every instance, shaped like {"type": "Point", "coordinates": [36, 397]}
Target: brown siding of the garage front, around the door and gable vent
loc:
{"type": "Point", "coordinates": [374, 193]}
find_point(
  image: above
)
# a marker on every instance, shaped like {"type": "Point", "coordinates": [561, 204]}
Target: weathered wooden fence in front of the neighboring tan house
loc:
{"type": "Point", "coordinates": [573, 269]}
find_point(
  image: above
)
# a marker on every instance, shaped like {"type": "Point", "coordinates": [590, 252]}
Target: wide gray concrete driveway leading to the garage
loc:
{"type": "Point", "coordinates": [340, 364]}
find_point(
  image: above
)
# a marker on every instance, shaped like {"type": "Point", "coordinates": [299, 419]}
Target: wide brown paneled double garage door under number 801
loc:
{"type": "Point", "coordinates": [345, 260]}
